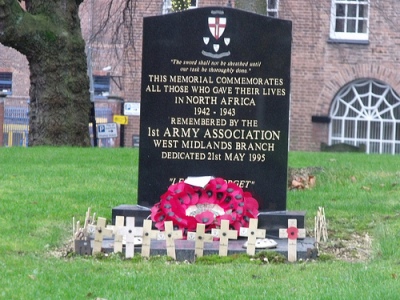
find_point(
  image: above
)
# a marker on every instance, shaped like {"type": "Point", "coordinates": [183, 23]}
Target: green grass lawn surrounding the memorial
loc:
{"type": "Point", "coordinates": [42, 189]}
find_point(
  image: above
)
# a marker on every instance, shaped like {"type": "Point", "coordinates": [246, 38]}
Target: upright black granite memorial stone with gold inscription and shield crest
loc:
{"type": "Point", "coordinates": [215, 102]}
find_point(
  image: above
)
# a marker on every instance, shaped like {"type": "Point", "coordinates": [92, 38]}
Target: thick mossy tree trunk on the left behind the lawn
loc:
{"type": "Point", "coordinates": [49, 34]}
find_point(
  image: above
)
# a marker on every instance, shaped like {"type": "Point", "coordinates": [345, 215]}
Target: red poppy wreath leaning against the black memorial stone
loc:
{"type": "Point", "coordinates": [186, 205]}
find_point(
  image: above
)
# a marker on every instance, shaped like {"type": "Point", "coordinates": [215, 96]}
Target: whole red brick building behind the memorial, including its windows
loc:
{"type": "Point", "coordinates": [345, 62]}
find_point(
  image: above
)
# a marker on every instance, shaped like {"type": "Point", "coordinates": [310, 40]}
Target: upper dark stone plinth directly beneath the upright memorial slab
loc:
{"type": "Point", "coordinates": [271, 221]}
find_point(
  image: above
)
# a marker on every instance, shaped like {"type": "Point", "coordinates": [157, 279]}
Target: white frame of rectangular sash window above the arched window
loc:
{"type": "Point", "coordinates": [346, 18]}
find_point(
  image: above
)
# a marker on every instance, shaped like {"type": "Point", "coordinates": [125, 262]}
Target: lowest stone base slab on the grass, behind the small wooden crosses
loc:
{"type": "Point", "coordinates": [185, 249]}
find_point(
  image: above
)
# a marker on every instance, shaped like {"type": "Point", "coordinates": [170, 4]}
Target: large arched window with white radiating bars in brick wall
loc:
{"type": "Point", "coordinates": [366, 112]}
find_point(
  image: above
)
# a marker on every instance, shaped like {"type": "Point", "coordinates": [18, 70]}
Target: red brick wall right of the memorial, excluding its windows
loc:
{"type": "Point", "coordinates": [320, 69]}
